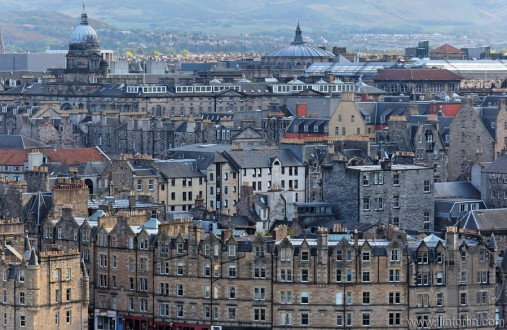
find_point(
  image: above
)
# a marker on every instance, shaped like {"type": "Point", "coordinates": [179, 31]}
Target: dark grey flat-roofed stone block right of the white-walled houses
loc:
{"type": "Point", "coordinates": [401, 195]}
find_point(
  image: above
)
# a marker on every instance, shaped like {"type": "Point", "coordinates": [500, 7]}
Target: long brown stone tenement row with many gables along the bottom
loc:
{"type": "Point", "coordinates": [147, 273]}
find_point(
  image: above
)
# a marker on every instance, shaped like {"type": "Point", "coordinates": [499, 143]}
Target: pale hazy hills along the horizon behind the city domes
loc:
{"type": "Point", "coordinates": [456, 16]}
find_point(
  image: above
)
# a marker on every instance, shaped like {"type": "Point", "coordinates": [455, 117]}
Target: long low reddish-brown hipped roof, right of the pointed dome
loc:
{"type": "Point", "coordinates": [416, 74]}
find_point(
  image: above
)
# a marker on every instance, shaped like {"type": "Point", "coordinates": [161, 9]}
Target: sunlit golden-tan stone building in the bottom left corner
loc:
{"type": "Point", "coordinates": [42, 290]}
